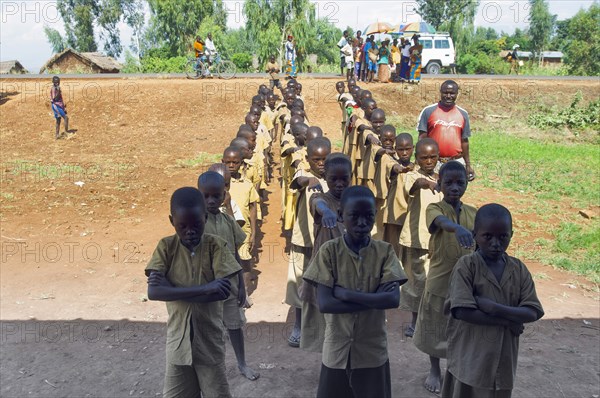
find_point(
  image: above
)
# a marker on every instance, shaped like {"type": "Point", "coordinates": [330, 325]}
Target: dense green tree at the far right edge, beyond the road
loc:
{"type": "Point", "coordinates": [579, 39]}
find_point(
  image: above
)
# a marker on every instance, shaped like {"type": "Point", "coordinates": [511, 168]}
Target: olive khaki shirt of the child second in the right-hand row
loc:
{"type": "Point", "coordinates": [444, 250]}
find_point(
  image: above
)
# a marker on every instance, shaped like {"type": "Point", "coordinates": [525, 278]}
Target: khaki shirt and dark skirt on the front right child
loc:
{"type": "Point", "coordinates": [479, 355]}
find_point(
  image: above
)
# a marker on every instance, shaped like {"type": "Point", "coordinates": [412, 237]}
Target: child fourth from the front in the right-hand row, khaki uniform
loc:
{"type": "Point", "coordinates": [397, 201]}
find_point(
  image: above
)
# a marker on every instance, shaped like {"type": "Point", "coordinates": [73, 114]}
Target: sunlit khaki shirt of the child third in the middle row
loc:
{"type": "Point", "coordinates": [303, 232]}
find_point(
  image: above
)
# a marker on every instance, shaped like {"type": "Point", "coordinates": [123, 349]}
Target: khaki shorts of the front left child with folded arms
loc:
{"type": "Point", "coordinates": [183, 381]}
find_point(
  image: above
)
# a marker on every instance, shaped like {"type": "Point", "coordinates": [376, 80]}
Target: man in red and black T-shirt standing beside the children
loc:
{"type": "Point", "coordinates": [448, 124]}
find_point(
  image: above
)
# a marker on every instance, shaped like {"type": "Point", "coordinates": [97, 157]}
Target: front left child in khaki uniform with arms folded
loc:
{"type": "Point", "coordinates": [191, 271]}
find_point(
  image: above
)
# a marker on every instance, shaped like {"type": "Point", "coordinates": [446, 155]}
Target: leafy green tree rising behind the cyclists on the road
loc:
{"type": "Point", "coordinates": [173, 24]}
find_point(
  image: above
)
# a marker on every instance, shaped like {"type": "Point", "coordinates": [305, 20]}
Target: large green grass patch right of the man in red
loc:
{"type": "Point", "coordinates": [548, 170]}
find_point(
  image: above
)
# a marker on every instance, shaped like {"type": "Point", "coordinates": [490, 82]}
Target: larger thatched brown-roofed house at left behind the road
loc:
{"type": "Point", "coordinates": [71, 61]}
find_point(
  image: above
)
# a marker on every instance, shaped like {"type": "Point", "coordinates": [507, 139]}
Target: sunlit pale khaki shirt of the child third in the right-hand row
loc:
{"type": "Point", "coordinates": [415, 232]}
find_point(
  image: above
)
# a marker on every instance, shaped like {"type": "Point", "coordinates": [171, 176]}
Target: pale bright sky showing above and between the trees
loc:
{"type": "Point", "coordinates": [22, 21]}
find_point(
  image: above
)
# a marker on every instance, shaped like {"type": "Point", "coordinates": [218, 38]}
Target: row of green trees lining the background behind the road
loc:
{"type": "Point", "coordinates": [172, 25]}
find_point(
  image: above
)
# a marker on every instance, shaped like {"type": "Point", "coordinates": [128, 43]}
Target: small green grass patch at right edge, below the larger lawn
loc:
{"type": "Point", "coordinates": [577, 248]}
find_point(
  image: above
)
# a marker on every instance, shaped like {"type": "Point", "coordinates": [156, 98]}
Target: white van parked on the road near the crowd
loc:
{"type": "Point", "coordinates": [438, 52]}
